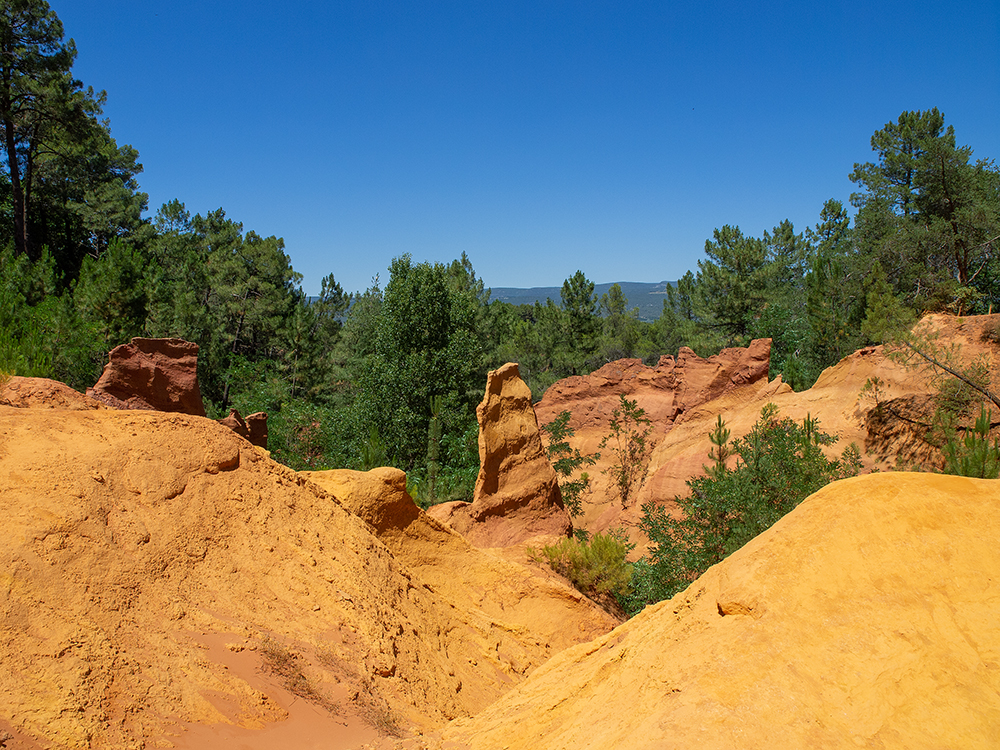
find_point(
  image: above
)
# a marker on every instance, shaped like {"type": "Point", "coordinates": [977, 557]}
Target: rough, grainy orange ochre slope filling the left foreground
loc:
{"type": "Point", "coordinates": [162, 583]}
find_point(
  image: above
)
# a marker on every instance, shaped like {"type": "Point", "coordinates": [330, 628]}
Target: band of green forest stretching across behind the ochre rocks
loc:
{"type": "Point", "coordinates": [392, 374]}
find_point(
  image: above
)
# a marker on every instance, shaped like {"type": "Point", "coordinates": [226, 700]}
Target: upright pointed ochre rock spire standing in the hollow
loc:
{"type": "Point", "coordinates": [517, 492]}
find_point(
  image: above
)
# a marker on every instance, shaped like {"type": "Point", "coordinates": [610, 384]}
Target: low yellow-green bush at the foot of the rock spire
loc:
{"type": "Point", "coordinates": [597, 567]}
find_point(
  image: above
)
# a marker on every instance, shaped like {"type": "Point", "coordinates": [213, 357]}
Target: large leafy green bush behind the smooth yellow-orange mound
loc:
{"type": "Point", "coordinates": [779, 464]}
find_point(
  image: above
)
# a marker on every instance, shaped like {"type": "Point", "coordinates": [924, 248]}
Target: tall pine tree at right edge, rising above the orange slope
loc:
{"type": "Point", "coordinates": [930, 215]}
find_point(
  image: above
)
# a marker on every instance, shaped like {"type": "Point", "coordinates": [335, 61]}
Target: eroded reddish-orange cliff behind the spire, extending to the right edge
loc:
{"type": "Point", "coordinates": [836, 399]}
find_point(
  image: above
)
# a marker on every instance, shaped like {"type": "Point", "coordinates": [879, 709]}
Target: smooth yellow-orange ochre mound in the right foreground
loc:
{"type": "Point", "coordinates": [867, 617]}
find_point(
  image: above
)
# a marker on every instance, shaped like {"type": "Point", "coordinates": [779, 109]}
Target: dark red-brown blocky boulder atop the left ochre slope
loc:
{"type": "Point", "coordinates": [157, 374]}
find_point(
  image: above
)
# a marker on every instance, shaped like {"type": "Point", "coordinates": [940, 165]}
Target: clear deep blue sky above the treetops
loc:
{"type": "Point", "coordinates": [539, 137]}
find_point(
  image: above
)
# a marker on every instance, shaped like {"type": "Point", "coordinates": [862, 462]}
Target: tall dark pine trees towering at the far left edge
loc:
{"type": "Point", "coordinates": [70, 187]}
